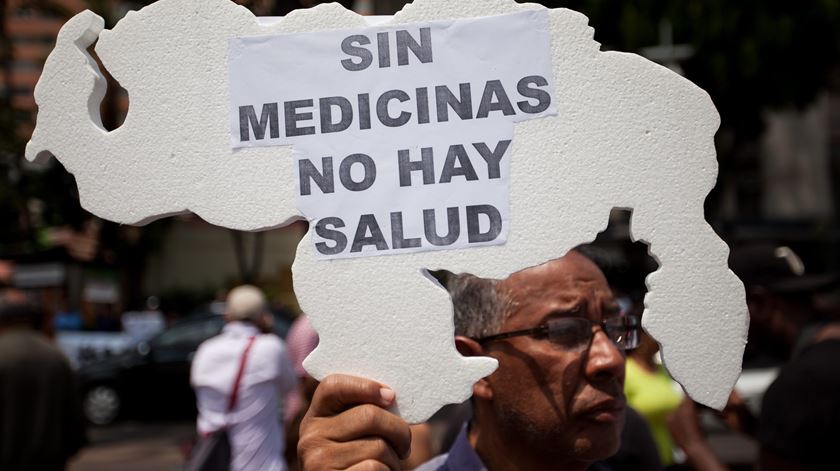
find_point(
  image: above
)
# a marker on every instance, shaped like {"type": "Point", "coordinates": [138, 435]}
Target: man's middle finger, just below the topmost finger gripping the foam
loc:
{"type": "Point", "coordinates": [371, 421]}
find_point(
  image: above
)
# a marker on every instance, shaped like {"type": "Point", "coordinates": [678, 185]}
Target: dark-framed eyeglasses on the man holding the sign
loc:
{"type": "Point", "coordinates": [575, 333]}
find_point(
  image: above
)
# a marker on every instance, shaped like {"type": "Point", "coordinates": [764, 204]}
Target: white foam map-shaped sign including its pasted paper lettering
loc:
{"type": "Point", "coordinates": [253, 126]}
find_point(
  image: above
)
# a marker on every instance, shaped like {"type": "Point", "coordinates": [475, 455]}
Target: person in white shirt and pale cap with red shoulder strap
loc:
{"type": "Point", "coordinates": [254, 423]}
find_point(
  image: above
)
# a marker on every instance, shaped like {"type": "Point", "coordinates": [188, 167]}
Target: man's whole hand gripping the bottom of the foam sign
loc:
{"type": "Point", "coordinates": [347, 427]}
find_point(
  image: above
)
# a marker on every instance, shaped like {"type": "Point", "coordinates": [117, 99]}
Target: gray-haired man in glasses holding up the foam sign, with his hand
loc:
{"type": "Point", "coordinates": [556, 401]}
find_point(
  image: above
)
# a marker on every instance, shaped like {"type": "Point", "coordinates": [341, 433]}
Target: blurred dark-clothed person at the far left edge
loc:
{"type": "Point", "coordinates": [41, 421]}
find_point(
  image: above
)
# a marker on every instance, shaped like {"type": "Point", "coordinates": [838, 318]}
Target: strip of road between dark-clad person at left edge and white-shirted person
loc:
{"type": "Point", "coordinates": [132, 446]}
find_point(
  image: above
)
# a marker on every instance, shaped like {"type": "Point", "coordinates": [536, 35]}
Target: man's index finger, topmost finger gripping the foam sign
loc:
{"type": "Point", "coordinates": [337, 393]}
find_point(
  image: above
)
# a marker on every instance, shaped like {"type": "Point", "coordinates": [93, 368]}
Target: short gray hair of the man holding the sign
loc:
{"type": "Point", "coordinates": [480, 308]}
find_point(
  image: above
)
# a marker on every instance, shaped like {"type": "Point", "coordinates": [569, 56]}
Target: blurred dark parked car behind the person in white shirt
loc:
{"type": "Point", "coordinates": [152, 380]}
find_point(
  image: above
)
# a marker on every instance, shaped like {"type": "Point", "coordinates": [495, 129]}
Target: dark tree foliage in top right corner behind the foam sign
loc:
{"type": "Point", "coordinates": [749, 55]}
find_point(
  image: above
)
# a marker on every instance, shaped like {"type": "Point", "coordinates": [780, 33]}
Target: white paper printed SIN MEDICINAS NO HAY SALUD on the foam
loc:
{"type": "Point", "coordinates": [439, 97]}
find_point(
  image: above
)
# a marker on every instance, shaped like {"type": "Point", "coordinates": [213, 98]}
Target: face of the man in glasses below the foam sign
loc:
{"type": "Point", "coordinates": [562, 402]}
